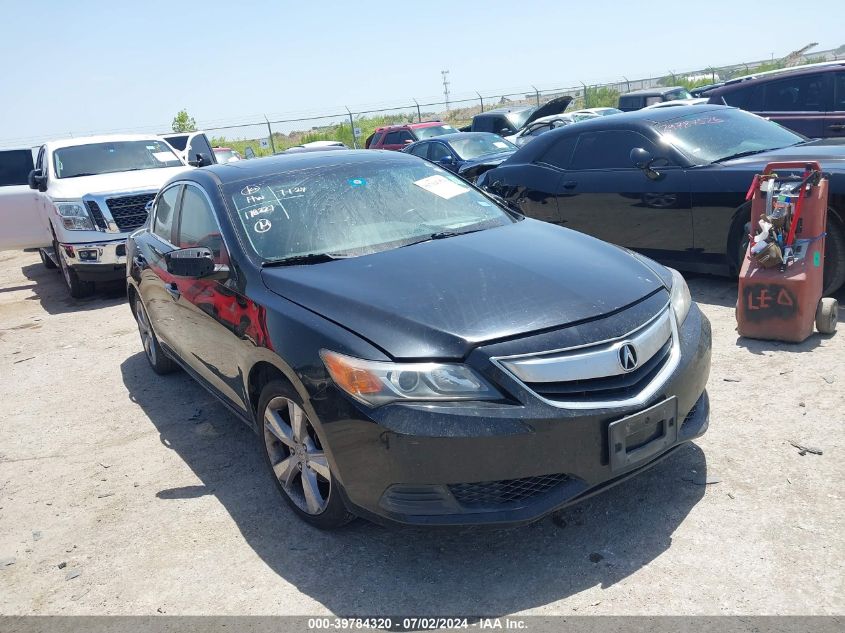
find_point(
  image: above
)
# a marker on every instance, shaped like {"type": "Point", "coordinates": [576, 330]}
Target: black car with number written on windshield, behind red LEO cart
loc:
{"type": "Point", "coordinates": [668, 182]}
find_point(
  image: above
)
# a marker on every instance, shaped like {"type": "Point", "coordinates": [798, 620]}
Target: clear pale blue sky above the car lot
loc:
{"type": "Point", "coordinates": [86, 66]}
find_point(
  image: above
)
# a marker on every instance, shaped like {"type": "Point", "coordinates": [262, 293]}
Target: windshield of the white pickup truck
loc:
{"type": "Point", "coordinates": [107, 158]}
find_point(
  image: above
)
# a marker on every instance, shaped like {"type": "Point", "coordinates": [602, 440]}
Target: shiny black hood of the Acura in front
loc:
{"type": "Point", "coordinates": [439, 299]}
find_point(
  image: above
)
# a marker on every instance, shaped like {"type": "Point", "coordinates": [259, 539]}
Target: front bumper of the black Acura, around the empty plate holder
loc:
{"type": "Point", "coordinates": [496, 463]}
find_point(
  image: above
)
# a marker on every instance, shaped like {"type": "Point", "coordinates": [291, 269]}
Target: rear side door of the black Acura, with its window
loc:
{"type": "Point", "coordinates": [154, 280]}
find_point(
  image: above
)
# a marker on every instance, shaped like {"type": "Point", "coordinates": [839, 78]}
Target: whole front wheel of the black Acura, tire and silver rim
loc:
{"type": "Point", "coordinates": [296, 460]}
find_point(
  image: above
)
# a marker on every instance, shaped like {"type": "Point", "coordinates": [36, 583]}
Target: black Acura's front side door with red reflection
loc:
{"type": "Point", "coordinates": [212, 317]}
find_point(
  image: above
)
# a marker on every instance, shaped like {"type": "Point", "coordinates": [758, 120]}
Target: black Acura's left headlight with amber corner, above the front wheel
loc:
{"type": "Point", "coordinates": [377, 382]}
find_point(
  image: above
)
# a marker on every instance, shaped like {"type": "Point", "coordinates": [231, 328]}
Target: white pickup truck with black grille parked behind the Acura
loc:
{"type": "Point", "coordinates": [81, 201]}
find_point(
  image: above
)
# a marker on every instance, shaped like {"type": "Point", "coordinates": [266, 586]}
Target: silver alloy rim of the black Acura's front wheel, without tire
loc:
{"type": "Point", "coordinates": [297, 458]}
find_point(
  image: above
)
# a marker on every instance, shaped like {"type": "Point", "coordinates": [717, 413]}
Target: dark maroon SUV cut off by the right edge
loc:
{"type": "Point", "coordinates": [809, 99]}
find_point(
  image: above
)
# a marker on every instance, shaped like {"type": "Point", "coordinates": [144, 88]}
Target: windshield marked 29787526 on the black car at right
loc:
{"type": "Point", "coordinates": [711, 136]}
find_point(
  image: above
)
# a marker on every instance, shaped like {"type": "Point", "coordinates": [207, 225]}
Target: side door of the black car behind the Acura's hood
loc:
{"type": "Point", "coordinates": [602, 193]}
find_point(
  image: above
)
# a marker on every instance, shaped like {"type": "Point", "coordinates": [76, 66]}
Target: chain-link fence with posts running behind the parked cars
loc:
{"type": "Point", "coordinates": [352, 125]}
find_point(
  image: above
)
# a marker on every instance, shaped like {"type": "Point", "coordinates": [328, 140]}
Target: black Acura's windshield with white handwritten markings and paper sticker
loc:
{"type": "Point", "coordinates": [356, 207]}
